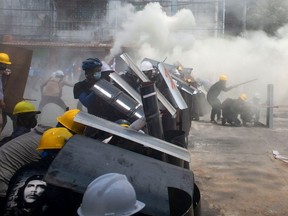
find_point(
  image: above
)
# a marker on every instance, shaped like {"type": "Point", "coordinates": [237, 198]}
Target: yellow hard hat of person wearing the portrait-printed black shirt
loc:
{"type": "Point", "coordinates": [54, 138]}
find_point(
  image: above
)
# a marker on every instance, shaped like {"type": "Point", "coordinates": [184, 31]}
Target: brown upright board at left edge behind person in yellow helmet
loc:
{"type": "Point", "coordinates": [21, 61]}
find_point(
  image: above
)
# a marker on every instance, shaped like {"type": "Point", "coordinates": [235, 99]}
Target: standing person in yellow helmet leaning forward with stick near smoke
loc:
{"type": "Point", "coordinates": [212, 97]}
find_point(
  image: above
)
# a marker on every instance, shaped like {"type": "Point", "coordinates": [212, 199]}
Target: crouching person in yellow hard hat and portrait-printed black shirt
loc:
{"type": "Point", "coordinates": [28, 193]}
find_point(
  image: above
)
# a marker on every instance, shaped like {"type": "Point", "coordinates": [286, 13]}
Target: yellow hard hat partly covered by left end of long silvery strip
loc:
{"type": "Point", "coordinates": [67, 120]}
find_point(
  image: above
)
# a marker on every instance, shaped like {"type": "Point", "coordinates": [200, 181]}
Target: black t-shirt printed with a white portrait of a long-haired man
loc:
{"type": "Point", "coordinates": [28, 194]}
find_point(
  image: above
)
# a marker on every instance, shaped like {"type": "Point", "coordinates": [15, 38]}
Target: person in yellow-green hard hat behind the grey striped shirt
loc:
{"type": "Point", "coordinates": [26, 118]}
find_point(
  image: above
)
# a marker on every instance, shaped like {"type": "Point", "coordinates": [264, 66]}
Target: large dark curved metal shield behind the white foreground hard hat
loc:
{"type": "Point", "coordinates": [83, 159]}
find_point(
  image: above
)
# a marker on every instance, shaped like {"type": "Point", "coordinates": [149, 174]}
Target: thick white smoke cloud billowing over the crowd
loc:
{"type": "Point", "coordinates": [157, 36]}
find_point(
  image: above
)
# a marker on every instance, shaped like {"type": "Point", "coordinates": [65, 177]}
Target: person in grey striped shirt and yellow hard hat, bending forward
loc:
{"type": "Point", "coordinates": [22, 150]}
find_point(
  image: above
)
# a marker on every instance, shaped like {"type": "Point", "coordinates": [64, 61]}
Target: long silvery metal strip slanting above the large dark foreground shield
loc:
{"type": "Point", "coordinates": [135, 136]}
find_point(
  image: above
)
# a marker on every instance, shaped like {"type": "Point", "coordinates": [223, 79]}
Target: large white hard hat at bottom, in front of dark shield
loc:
{"type": "Point", "coordinates": [110, 194]}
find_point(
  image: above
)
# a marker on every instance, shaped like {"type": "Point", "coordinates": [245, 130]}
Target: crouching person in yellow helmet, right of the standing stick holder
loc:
{"type": "Point", "coordinates": [232, 108]}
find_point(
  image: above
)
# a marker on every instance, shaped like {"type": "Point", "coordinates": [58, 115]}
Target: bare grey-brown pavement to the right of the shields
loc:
{"type": "Point", "coordinates": [235, 169]}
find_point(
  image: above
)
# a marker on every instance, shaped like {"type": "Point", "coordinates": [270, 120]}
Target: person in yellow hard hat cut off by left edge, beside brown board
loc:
{"type": "Point", "coordinates": [4, 62]}
